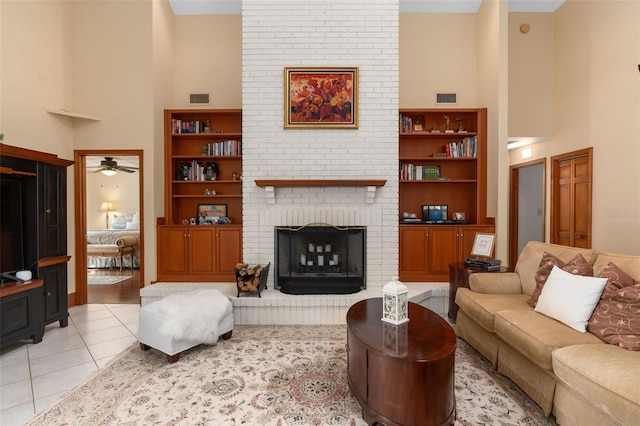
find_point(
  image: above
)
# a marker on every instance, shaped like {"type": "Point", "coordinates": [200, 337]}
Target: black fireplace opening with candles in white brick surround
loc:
{"type": "Point", "coordinates": [320, 259]}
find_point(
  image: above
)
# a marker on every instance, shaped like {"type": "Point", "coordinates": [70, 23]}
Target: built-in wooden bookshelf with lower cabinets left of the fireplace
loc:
{"type": "Point", "coordinates": [203, 166]}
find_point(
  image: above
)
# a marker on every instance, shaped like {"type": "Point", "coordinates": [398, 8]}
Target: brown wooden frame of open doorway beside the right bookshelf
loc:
{"type": "Point", "coordinates": [514, 192]}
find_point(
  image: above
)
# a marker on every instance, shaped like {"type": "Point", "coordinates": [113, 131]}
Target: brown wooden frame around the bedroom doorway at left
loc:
{"type": "Point", "coordinates": [80, 195]}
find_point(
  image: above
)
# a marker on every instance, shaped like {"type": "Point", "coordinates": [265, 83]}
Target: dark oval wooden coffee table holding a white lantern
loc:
{"type": "Point", "coordinates": [401, 375]}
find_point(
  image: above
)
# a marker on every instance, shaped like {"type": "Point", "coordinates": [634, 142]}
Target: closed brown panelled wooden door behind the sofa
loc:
{"type": "Point", "coordinates": [571, 177]}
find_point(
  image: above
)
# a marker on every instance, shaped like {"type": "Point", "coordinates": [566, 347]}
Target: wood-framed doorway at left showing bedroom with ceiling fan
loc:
{"type": "Point", "coordinates": [108, 189]}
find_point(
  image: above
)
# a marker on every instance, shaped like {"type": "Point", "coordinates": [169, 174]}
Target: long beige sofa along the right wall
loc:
{"type": "Point", "coordinates": [576, 376]}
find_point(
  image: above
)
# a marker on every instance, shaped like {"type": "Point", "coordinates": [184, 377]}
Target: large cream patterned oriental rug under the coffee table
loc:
{"type": "Point", "coordinates": [266, 375]}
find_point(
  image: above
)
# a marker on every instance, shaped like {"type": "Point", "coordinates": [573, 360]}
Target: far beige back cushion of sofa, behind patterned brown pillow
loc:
{"type": "Point", "coordinates": [529, 260]}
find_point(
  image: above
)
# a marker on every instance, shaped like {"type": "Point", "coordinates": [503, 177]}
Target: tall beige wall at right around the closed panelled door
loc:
{"type": "Point", "coordinates": [596, 103]}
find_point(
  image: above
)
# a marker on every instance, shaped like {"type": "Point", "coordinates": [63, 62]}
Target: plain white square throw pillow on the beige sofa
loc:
{"type": "Point", "coordinates": [570, 298]}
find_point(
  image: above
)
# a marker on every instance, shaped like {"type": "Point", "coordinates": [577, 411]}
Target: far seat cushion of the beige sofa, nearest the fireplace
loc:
{"type": "Point", "coordinates": [482, 307]}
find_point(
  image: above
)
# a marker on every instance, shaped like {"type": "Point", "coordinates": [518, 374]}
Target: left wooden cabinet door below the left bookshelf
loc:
{"type": "Point", "coordinates": [172, 250]}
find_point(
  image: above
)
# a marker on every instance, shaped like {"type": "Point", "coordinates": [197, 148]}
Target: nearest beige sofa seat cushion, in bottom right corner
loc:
{"type": "Point", "coordinates": [602, 375]}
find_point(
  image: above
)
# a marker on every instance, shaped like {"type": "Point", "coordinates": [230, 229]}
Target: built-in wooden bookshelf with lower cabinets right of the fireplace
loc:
{"type": "Point", "coordinates": [442, 162]}
